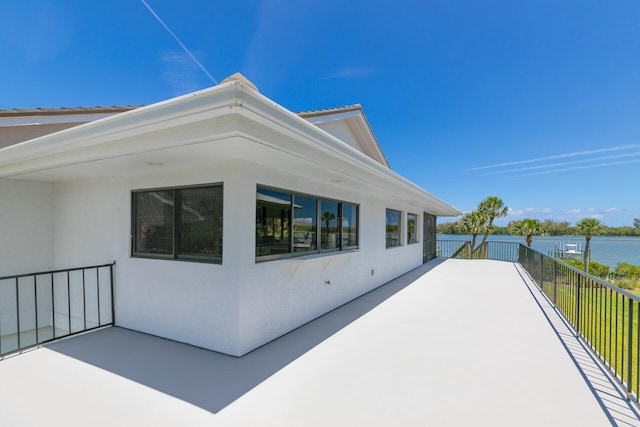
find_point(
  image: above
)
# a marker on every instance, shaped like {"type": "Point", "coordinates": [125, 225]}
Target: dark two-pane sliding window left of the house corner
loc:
{"type": "Point", "coordinates": [192, 232]}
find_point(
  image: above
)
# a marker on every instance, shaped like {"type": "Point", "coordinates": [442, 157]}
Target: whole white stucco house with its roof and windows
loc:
{"type": "Point", "coordinates": [231, 219]}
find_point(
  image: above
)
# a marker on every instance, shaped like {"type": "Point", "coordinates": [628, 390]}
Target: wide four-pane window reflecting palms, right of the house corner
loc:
{"type": "Point", "coordinates": [318, 225]}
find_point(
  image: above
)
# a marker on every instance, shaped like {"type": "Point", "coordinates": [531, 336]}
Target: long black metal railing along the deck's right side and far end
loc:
{"type": "Point", "coordinates": [604, 316]}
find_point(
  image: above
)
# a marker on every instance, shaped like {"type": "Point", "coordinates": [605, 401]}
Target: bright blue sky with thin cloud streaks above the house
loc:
{"type": "Point", "coordinates": [537, 102]}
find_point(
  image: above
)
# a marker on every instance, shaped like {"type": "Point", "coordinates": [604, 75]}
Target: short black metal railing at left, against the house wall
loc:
{"type": "Point", "coordinates": [40, 307]}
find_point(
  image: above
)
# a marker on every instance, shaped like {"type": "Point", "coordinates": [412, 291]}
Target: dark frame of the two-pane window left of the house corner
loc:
{"type": "Point", "coordinates": [176, 220]}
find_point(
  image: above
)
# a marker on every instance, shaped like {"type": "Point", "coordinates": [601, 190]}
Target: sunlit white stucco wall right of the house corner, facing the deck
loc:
{"type": "Point", "coordinates": [278, 296]}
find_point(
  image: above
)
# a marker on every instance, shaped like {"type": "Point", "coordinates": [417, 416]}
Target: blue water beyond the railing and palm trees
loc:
{"type": "Point", "coordinates": [605, 250]}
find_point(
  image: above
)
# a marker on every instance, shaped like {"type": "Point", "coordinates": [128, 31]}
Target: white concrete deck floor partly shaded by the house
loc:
{"type": "Point", "coordinates": [453, 343]}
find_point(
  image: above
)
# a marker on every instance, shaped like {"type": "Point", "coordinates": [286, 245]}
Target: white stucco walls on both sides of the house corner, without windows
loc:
{"type": "Point", "coordinates": [241, 304]}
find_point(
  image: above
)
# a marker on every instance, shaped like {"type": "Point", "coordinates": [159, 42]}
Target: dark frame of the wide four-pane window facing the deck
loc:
{"type": "Point", "coordinates": [319, 227]}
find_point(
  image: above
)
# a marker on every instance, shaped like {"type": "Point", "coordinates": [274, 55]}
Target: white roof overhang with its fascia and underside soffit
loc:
{"type": "Point", "coordinates": [230, 121]}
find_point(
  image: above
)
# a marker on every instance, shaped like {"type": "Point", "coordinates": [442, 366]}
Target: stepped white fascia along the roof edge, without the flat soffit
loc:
{"type": "Point", "coordinates": [232, 98]}
